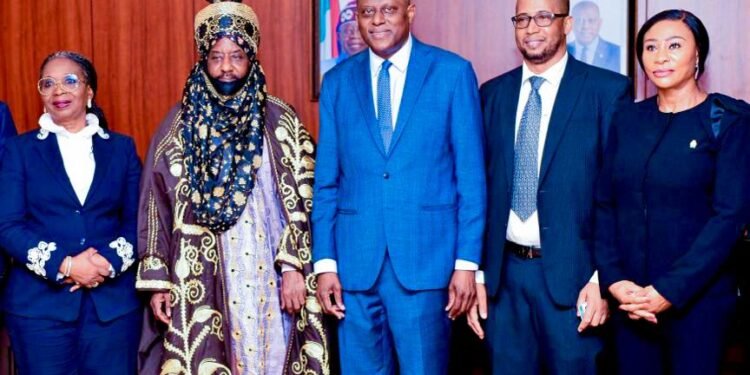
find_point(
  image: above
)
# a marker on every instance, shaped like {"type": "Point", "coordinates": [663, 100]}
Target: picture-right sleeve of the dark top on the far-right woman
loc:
{"type": "Point", "coordinates": [694, 270]}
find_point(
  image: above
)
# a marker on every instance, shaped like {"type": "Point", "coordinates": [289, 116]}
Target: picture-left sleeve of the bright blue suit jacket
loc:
{"type": "Point", "coordinates": [326, 178]}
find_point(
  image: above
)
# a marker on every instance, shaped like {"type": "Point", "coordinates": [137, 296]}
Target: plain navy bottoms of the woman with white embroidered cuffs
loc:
{"type": "Point", "coordinates": [84, 347]}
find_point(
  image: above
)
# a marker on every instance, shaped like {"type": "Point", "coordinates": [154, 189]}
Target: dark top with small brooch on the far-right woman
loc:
{"type": "Point", "coordinates": [673, 198]}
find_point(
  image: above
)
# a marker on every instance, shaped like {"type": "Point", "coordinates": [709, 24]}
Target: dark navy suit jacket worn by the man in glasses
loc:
{"type": "Point", "coordinates": [571, 161]}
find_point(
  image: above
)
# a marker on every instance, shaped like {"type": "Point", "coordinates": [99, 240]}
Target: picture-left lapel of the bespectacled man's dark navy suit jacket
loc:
{"type": "Point", "coordinates": [508, 109]}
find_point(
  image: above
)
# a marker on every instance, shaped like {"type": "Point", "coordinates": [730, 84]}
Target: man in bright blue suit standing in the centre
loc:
{"type": "Point", "coordinates": [399, 196]}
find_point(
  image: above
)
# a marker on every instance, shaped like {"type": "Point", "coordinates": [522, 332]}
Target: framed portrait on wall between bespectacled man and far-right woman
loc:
{"type": "Point", "coordinates": [601, 35]}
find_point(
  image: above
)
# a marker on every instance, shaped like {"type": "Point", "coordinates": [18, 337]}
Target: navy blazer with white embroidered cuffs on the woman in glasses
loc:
{"type": "Point", "coordinates": [39, 207]}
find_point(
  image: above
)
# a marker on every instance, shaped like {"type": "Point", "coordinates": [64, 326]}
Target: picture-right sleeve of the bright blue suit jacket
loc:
{"type": "Point", "coordinates": [467, 139]}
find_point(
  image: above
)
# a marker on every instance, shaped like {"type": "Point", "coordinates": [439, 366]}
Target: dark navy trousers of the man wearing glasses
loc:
{"type": "Point", "coordinates": [529, 334]}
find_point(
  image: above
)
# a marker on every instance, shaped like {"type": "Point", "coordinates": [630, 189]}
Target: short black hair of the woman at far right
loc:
{"type": "Point", "coordinates": [691, 21]}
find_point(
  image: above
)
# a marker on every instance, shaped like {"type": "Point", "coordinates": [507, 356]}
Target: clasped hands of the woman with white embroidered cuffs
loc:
{"type": "Point", "coordinates": [88, 269]}
